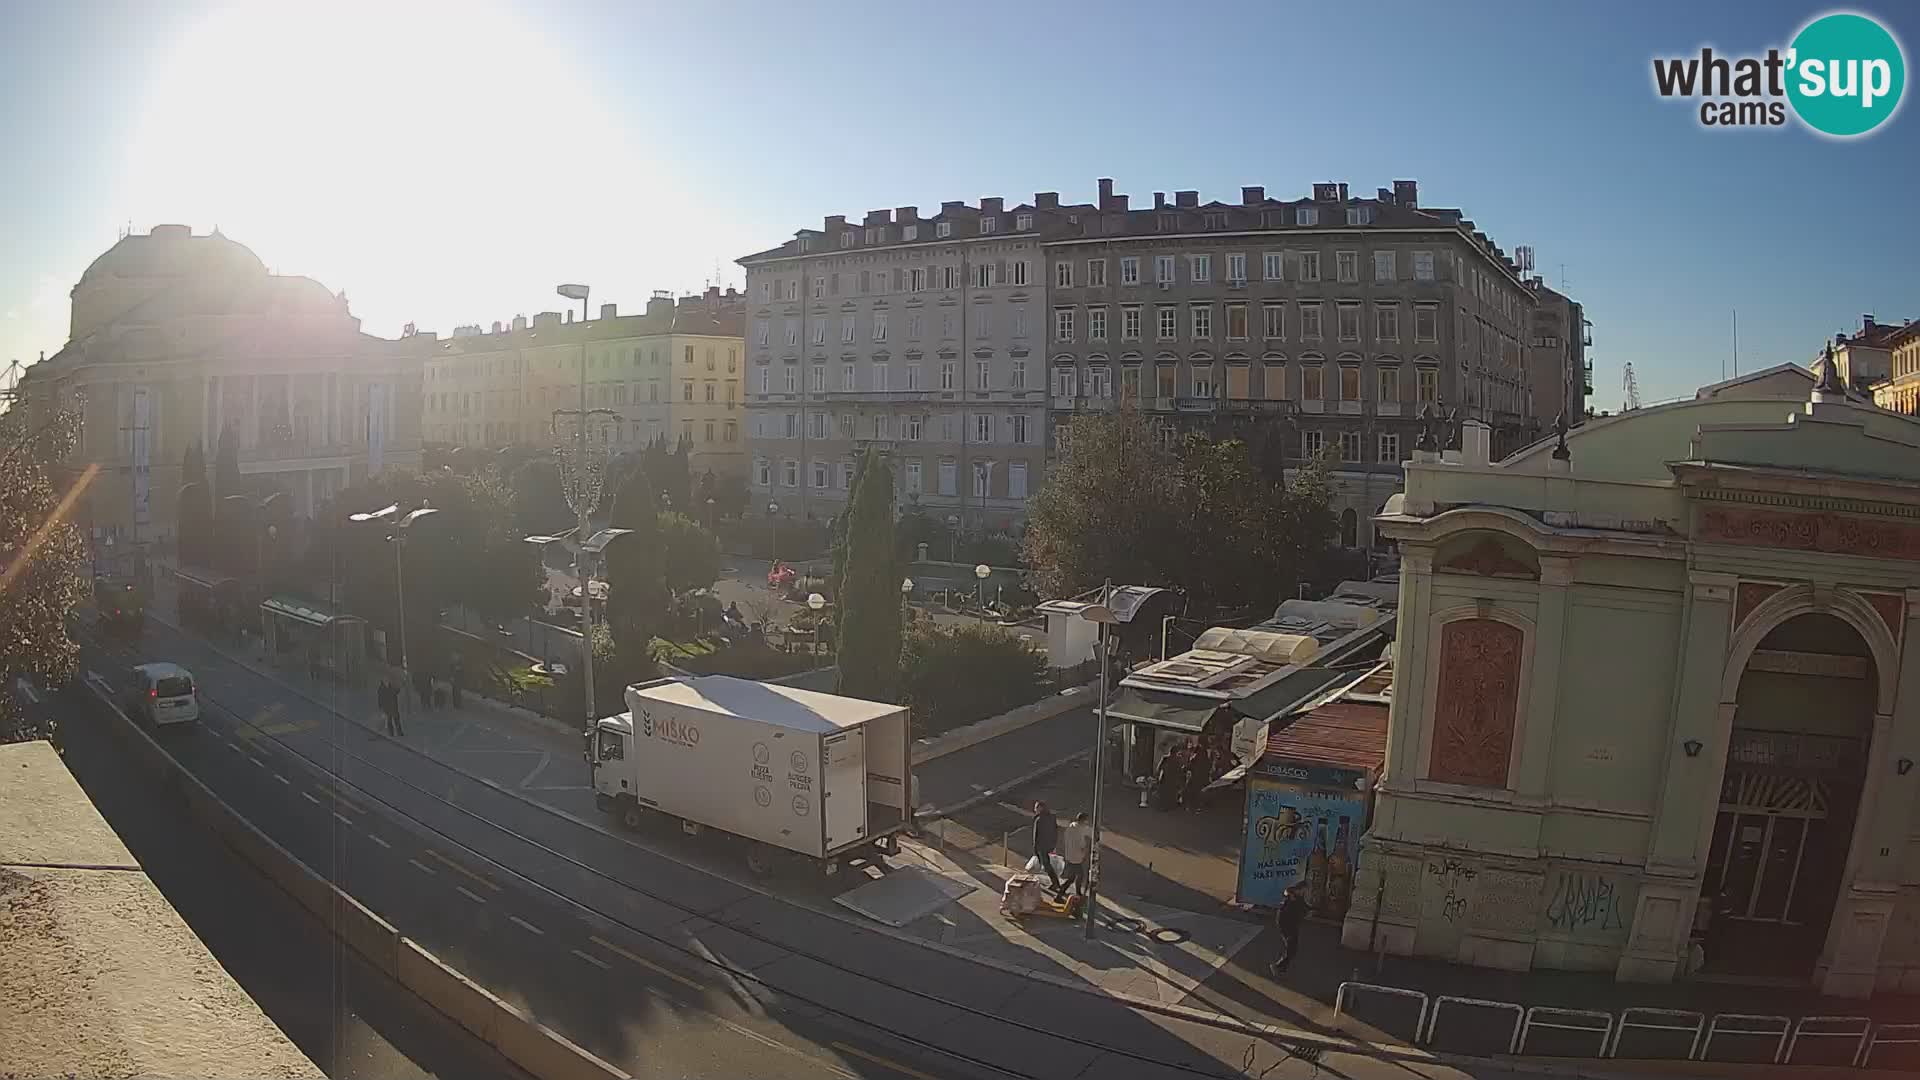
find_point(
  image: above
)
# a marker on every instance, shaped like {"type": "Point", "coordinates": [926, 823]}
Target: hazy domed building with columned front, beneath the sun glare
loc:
{"type": "Point", "coordinates": [180, 339]}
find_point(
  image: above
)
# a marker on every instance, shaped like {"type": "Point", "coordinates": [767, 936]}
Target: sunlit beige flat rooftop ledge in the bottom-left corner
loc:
{"type": "Point", "coordinates": [103, 977]}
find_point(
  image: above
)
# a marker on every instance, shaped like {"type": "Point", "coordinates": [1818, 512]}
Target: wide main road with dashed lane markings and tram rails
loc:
{"type": "Point", "coordinates": [613, 945]}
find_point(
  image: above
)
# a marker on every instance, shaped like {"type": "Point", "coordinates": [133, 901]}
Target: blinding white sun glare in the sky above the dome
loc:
{"type": "Point", "coordinates": [431, 159]}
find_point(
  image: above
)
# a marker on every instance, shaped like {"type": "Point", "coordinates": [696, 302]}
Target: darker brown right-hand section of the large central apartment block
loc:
{"type": "Point", "coordinates": [1314, 326]}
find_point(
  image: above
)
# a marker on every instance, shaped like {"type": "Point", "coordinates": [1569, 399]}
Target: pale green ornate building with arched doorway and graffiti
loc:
{"type": "Point", "coordinates": [1656, 704]}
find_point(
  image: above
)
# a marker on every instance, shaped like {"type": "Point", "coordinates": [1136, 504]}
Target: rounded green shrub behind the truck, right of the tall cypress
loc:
{"type": "Point", "coordinates": [963, 674]}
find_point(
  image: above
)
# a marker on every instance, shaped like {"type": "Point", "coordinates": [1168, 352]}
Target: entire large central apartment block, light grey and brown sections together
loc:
{"type": "Point", "coordinates": [965, 341]}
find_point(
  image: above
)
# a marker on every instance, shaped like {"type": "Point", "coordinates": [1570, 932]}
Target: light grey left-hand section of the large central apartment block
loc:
{"type": "Point", "coordinates": [923, 337]}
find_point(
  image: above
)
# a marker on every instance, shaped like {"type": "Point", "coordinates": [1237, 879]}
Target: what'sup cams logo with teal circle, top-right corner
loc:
{"type": "Point", "coordinates": [1842, 76]}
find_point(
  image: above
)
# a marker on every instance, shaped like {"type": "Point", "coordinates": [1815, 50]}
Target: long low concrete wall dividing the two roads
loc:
{"type": "Point", "coordinates": [523, 1041]}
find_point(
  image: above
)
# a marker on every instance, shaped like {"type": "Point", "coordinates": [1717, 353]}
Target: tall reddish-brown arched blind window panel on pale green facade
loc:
{"type": "Point", "coordinates": [1477, 702]}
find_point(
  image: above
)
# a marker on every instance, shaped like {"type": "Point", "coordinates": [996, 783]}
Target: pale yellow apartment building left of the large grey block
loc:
{"type": "Point", "coordinates": [673, 372]}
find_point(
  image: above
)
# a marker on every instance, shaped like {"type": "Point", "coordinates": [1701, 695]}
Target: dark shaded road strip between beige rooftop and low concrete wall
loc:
{"type": "Point", "coordinates": [350, 1019]}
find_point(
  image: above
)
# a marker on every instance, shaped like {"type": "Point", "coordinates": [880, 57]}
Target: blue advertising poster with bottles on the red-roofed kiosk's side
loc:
{"type": "Point", "coordinates": [1301, 835]}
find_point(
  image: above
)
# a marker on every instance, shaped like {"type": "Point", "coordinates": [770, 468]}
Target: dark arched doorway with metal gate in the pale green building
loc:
{"type": "Point", "coordinates": [1790, 797]}
